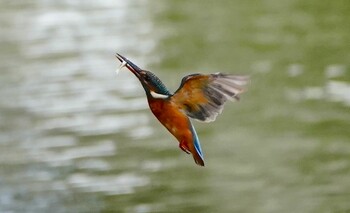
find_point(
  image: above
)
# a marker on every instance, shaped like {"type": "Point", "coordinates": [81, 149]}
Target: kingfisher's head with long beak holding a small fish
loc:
{"type": "Point", "coordinates": [152, 85]}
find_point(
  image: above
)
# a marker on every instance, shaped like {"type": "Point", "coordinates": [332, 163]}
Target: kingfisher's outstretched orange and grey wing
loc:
{"type": "Point", "coordinates": [202, 97]}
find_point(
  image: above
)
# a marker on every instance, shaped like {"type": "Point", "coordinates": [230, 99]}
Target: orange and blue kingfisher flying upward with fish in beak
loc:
{"type": "Point", "coordinates": [200, 97]}
